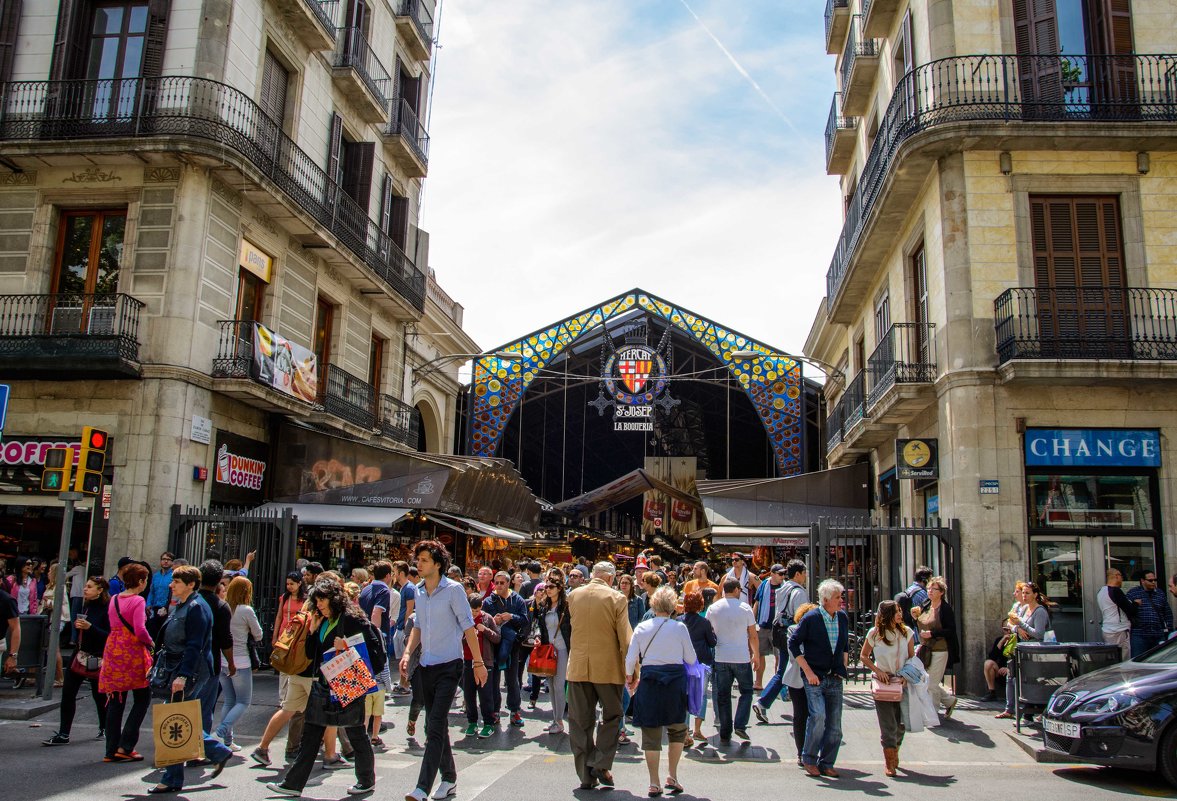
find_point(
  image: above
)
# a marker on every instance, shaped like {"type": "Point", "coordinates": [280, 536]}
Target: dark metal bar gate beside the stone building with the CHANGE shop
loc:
{"type": "Point", "coordinates": [876, 563]}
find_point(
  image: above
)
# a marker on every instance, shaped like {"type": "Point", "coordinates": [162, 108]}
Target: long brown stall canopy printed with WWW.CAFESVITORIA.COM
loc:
{"type": "Point", "coordinates": [318, 468]}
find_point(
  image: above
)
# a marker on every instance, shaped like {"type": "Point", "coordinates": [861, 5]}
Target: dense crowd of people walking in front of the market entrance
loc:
{"type": "Point", "coordinates": [644, 650]}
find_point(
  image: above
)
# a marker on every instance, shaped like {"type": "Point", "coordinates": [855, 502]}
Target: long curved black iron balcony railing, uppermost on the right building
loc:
{"type": "Point", "coordinates": [1005, 89]}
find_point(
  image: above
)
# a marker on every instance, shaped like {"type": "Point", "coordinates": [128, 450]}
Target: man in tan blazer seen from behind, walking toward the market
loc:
{"type": "Point", "coordinates": [601, 638]}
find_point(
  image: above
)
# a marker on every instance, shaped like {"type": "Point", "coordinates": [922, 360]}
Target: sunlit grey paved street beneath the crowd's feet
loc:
{"type": "Point", "coordinates": [972, 757]}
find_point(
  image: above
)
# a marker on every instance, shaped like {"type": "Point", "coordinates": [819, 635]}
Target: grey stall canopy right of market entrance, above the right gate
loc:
{"type": "Point", "coordinates": [752, 508]}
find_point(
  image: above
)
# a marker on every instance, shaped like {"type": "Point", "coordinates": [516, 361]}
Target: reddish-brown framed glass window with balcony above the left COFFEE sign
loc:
{"type": "Point", "coordinates": [90, 249]}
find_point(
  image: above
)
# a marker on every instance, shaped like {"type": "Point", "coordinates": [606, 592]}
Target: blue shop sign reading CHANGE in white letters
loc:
{"type": "Point", "coordinates": [1093, 448]}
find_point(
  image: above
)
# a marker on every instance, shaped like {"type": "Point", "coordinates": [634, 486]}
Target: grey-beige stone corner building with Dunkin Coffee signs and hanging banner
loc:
{"type": "Point", "coordinates": [209, 230]}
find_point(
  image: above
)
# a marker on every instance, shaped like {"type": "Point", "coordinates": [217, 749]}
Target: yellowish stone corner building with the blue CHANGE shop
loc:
{"type": "Point", "coordinates": [1006, 284]}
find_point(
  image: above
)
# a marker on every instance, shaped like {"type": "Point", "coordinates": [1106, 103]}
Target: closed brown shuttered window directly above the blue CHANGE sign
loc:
{"type": "Point", "coordinates": [1079, 269]}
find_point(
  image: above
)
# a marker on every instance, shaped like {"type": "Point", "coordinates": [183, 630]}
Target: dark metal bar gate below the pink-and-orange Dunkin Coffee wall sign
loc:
{"type": "Point", "coordinates": [200, 535]}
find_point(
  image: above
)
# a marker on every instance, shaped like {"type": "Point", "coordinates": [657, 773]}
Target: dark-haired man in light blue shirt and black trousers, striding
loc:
{"type": "Point", "coordinates": [443, 622]}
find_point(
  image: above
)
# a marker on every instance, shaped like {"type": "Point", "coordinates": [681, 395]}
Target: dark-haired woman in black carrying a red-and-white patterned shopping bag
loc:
{"type": "Point", "coordinates": [335, 619]}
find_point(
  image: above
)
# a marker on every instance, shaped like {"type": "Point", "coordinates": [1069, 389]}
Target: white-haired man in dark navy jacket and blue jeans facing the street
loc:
{"type": "Point", "coordinates": [820, 645]}
